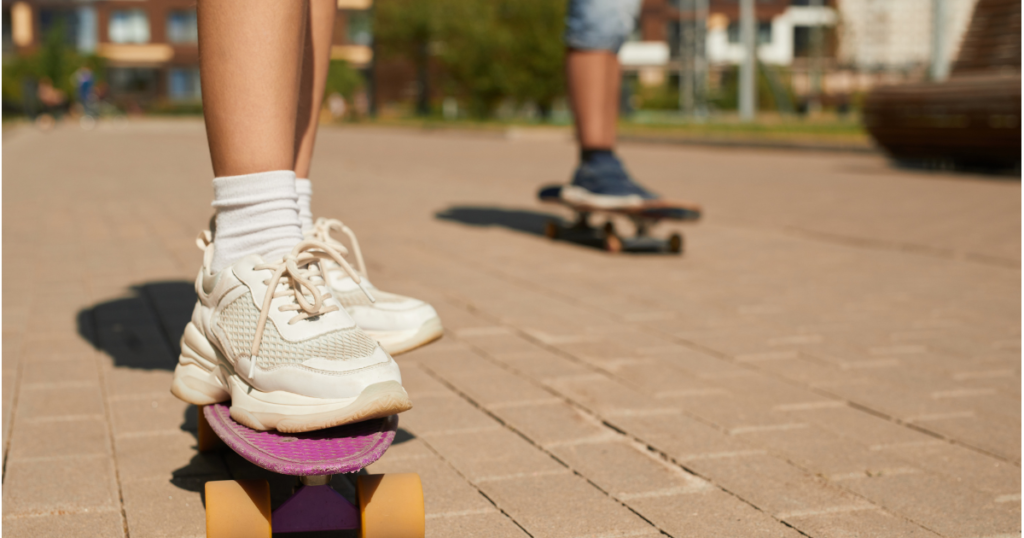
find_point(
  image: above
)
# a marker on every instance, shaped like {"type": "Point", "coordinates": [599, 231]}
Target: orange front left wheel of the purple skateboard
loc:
{"type": "Point", "coordinates": [238, 509]}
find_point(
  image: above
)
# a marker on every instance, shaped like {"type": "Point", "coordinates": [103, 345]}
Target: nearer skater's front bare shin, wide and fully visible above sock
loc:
{"type": "Point", "coordinates": [250, 58]}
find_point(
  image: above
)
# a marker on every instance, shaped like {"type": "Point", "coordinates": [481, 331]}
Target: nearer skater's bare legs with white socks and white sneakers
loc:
{"type": "Point", "coordinates": [285, 326]}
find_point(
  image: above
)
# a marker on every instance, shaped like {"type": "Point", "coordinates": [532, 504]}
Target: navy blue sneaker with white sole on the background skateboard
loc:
{"type": "Point", "coordinates": [603, 182]}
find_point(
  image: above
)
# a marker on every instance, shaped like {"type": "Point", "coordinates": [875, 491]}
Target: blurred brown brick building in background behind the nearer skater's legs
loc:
{"type": "Point", "coordinates": [151, 47]}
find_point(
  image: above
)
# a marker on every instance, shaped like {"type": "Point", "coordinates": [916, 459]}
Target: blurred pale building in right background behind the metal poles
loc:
{"type": "Point", "coordinates": [865, 43]}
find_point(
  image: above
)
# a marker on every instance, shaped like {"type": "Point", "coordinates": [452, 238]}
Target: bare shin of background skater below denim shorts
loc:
{"type": "Point", "coordinates": [594, 84]}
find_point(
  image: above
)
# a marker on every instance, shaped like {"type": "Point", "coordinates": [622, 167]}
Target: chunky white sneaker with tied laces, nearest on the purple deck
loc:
{"type": "Point", "coordinates": [292, 360]}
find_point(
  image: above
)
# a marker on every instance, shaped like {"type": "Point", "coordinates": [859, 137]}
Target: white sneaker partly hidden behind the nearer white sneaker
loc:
{"type": "Point", "coordinates": [399, 323]}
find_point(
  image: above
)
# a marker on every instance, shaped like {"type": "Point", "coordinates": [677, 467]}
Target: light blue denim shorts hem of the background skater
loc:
{"type": "Point", "coordinates": [601, 25]}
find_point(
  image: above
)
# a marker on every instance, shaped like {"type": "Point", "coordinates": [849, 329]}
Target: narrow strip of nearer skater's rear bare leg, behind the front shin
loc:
{"type": "Point", "coordinates": [316, 63]}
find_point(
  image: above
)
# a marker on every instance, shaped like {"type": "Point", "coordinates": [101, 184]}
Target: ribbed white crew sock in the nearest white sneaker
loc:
{"type": "Point", "coordinates": [257, 215]}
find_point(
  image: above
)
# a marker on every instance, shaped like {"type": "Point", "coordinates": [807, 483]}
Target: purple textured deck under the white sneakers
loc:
{"type": "Point", "coordinates": [332, 451]}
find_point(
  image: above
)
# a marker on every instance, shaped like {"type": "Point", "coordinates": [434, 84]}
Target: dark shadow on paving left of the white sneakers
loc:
{"type": "Point", "coordinates": [142, 330]}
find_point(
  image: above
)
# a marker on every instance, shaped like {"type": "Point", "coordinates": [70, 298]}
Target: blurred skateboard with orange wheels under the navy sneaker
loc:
{"type": "Point", "coordinates": [645, 219]}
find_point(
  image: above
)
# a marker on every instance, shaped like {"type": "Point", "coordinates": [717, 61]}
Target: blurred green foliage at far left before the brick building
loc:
{"type": "Point", "coordinates": [55, 61]}
